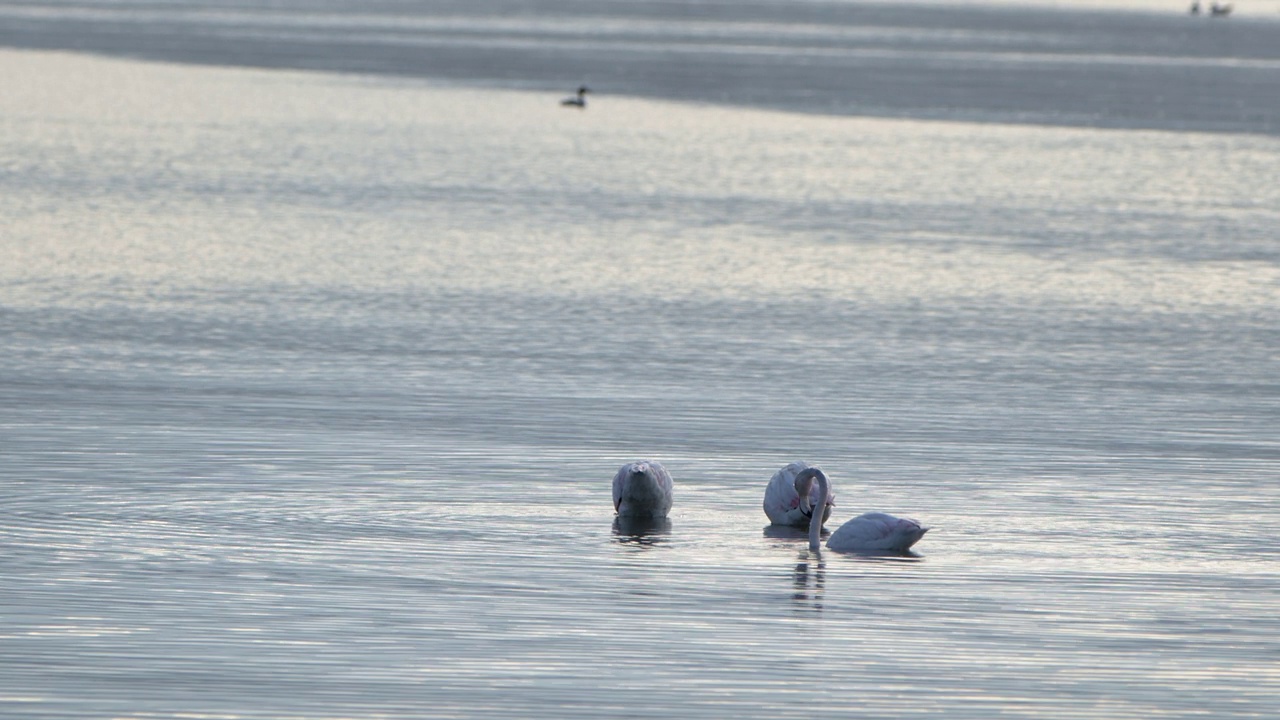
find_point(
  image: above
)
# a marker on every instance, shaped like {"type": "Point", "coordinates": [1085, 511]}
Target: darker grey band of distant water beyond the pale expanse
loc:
{"type": "Point", "coordinates": [1117, 63]}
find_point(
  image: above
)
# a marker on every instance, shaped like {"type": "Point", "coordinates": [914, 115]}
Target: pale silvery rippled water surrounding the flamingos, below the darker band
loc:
{"type": "Point", "coordinates": [313, 388]}
